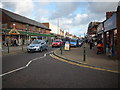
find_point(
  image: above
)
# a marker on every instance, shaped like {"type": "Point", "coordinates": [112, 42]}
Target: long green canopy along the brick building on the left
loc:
{"type": "Point", "coordinates": [27, 33]}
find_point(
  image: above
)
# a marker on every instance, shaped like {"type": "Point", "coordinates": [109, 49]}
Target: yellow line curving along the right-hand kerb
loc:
{"type": "Point", "coordinates": [73, 63]}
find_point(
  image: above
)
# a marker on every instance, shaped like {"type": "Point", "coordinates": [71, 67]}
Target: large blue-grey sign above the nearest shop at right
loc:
{"type": "Point", "coordinates": [110, 23]}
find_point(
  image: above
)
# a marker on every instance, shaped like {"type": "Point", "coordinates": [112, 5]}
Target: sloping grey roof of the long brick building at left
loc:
{"type": "Point", "coordinates": [23, 19]}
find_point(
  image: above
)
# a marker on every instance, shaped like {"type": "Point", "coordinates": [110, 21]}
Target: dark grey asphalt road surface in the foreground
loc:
{"type": "Point", "coordinates": [48, 72]}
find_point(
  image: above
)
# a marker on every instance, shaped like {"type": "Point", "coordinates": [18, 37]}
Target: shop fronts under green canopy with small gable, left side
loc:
{"type": "Point", "coordinates": [17, 37]}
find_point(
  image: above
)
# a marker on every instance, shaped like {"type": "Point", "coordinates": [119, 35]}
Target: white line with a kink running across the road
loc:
{"type": "Point", "coordinates": [25, 65]}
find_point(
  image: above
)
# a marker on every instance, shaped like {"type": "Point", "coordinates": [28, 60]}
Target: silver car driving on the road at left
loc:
{"type": "Point", "coordinates": [37, 45]}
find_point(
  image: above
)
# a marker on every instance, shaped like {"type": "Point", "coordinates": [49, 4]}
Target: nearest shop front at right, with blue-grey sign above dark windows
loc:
{"type": "Point", "coordinates": [110, 39]}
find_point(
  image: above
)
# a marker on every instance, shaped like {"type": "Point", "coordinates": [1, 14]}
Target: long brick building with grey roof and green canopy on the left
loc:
{"type": "Point", "coordinates": [18, 27]}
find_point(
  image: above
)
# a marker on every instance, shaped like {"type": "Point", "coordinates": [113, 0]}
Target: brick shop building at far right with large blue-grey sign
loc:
{"type": "Point", "coordinates": [109, 29]}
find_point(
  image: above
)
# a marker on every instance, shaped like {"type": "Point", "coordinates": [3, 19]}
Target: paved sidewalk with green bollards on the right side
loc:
{"type": "Point", "coordinates": [92, 59]}
